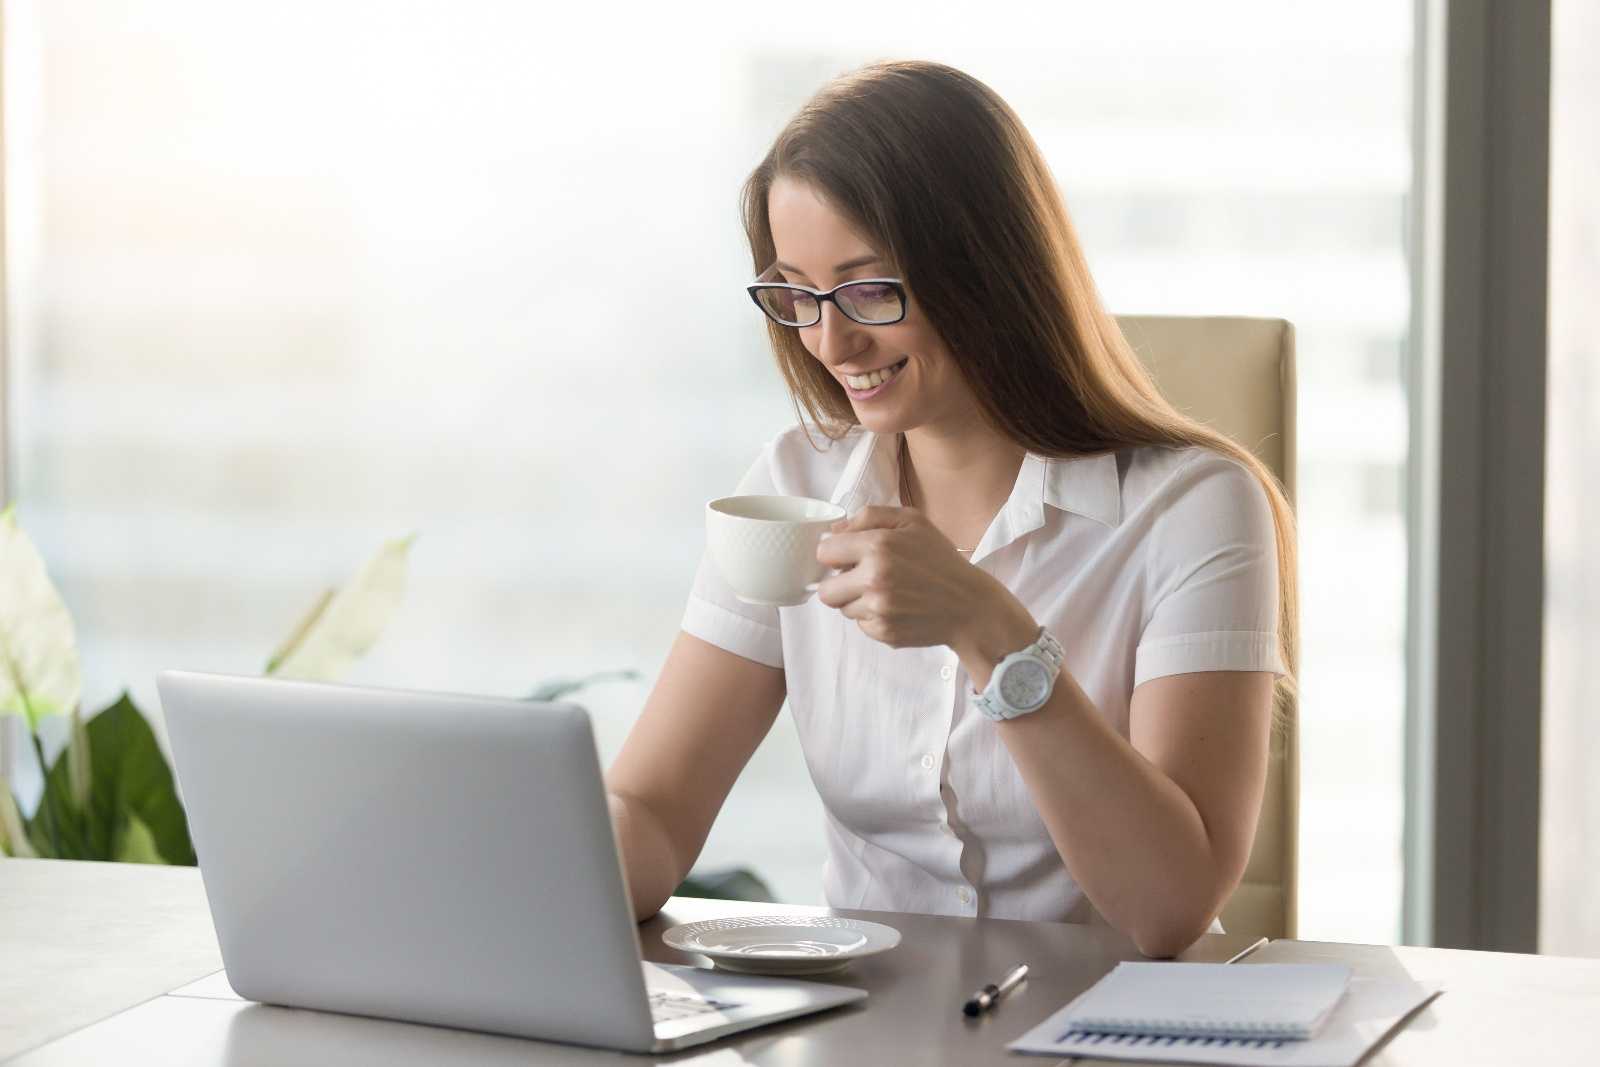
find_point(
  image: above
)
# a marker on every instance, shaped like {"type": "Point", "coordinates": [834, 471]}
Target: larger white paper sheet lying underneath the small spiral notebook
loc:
{"type": "Point", "coordinates": [1364, 1017]}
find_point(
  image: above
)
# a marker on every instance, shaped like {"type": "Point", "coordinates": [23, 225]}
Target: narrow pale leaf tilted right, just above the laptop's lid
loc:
{"type": "Point", "coordinates": [345, 625]}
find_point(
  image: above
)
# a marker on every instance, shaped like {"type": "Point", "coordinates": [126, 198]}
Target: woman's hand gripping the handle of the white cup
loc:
{"type": "Point", "coordinates": [902, 580]}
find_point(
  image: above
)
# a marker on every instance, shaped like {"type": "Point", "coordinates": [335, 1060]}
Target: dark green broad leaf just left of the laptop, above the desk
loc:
{"type": "Point", "coordinates": [129, 780]}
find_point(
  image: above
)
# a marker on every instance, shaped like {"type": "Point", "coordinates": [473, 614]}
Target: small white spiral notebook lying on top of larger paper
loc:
{"type": "Point", "coordinates": [1212, 999]}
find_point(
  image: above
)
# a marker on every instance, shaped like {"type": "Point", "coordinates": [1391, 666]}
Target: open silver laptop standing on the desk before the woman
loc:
{"type": "Point", "coordinates": [433, 858]}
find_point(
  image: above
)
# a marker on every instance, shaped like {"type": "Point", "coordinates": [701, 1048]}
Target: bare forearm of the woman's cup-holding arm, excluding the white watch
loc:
{"type": "Point", "coordinates": [1130, 836]}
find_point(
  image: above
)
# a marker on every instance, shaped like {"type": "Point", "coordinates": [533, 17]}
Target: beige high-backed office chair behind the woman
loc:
{"type": "Point", "coordinates": [1238, 377]}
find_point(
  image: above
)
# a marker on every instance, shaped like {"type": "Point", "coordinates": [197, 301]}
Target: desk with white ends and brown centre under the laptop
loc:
{"type": "Point", "coordinates": [89, 949]}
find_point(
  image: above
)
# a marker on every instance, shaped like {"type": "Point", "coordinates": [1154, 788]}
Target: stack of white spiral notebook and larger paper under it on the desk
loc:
{"type": "Point", "coordinates": [1271, 1015]}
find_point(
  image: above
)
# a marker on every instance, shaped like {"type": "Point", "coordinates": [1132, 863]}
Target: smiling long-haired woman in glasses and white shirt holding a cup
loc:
{"type": "Point", "coordinates": [1015, 489]}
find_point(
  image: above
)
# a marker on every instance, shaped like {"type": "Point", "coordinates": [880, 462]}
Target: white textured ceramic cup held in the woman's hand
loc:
{"type": "Point", "coordinates": [766, 546]}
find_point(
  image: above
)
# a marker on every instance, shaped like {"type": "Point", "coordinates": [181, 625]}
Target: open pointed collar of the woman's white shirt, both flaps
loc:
{"type": "Point", "coordinates": [1087, 486]}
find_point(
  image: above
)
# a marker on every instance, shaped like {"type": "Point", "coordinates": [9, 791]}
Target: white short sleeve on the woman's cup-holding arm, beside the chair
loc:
{"type": "Point", "coordinates": [1214, 575]}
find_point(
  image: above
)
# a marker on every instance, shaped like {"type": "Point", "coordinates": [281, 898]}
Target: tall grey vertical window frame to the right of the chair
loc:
{"type": "Point", "coordinates": [1479, 238]}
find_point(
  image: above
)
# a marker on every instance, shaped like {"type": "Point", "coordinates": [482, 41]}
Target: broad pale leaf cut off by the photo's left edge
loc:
{"type": "Point", "coordinates": [39, 650]}
